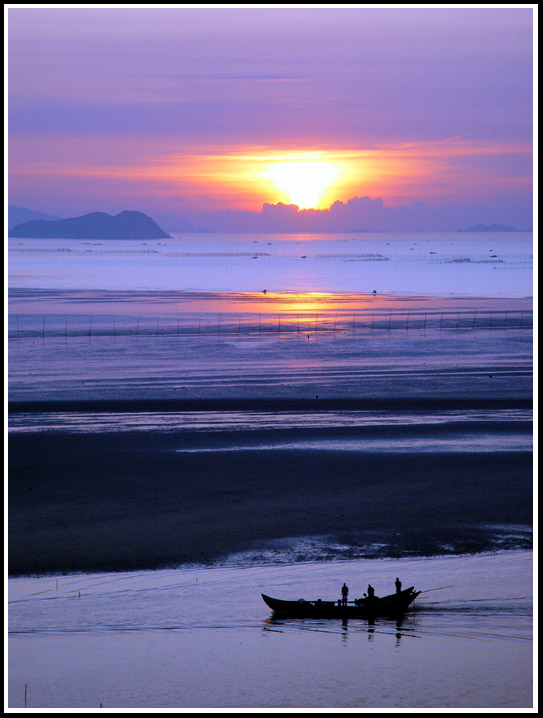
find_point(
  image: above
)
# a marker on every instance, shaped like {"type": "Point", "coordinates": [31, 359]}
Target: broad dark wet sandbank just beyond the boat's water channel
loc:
{"type": "Point", "coordinates": [121, 501]}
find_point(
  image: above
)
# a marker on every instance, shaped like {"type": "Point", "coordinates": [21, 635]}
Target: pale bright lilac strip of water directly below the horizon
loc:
{"type": "Point", "coordinates": [430, 263]}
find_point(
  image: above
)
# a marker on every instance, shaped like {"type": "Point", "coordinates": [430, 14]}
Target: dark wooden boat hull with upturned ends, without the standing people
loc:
{"type": "Point", "coordinates": [387, 606]}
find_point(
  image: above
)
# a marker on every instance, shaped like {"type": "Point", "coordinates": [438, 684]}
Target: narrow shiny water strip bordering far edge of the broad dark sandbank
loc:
{"type": "Point", "coordinates": [470, 430]}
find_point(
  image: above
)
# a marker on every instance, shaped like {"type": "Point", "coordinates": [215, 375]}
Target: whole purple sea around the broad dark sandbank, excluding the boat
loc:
{"type": "Point", "coordinates": [348, 345]}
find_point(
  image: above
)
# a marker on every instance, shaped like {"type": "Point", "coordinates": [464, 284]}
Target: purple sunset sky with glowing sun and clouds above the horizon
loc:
{"type": "Point", "coordinates": [218, 117]}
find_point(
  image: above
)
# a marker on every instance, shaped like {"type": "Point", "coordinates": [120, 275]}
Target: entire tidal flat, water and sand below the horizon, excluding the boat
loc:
{"type": "Point", "coordinates": [174, 453]}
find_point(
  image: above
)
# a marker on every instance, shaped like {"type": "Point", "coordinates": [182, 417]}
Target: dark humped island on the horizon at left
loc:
{"type": "Point", "coordinates": [96, 225]}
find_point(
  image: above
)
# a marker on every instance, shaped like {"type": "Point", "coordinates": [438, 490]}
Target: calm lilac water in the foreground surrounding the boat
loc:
{"type": "Point", "coordinates": [202, 637]}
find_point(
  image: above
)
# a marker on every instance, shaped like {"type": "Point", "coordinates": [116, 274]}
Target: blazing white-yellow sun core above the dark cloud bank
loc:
{"type": "Point", "coordinates": [303, 182]}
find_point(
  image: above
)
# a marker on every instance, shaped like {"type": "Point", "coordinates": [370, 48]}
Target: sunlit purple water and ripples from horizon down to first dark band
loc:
{"type": "Point", "coordinates": [197, 316]}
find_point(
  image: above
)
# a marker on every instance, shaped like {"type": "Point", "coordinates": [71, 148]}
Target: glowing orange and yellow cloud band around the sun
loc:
{"type": "Point", "coordinates": [246, 178]}
